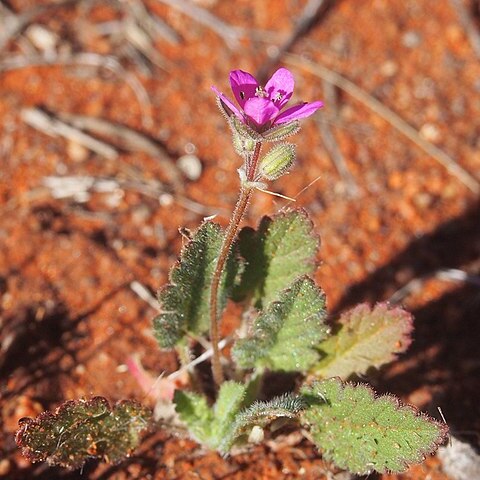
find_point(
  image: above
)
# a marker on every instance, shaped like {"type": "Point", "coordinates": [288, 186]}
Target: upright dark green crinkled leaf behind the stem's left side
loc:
{"type": "Point", "coordinates": [185, 300]}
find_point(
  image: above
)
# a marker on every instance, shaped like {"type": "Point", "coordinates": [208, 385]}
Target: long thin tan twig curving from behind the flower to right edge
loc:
{"type": "Point", "coordinates": [389, 116]}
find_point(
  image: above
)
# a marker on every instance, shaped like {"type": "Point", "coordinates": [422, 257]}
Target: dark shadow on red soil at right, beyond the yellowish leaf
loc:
{"type": "Point", "coordinates": [444, 355]}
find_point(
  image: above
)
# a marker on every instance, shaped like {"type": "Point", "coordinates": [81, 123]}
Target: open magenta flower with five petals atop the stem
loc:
{"type": "Point", "coordinates": [261, 107]}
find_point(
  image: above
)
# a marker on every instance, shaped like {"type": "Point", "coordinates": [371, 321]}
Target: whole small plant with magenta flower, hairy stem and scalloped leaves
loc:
{"type": "Point", "coordinates": [284, 328]}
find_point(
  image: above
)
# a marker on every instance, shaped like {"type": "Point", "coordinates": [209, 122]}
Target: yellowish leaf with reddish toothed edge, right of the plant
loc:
{"type": "Point", "coordinates": [367, 338]}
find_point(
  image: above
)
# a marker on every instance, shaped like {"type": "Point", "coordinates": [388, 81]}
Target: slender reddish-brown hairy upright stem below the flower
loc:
{"type": "Point", "coordinates": [230, 235]}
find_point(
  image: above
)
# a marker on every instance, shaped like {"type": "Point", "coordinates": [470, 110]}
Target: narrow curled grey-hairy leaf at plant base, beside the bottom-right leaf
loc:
{"type": "Point", "coordinates": [261, 414]}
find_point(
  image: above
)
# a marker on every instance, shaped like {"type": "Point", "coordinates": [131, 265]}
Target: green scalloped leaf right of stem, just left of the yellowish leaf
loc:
{"type": "Point", "coordinates": [285, 335]}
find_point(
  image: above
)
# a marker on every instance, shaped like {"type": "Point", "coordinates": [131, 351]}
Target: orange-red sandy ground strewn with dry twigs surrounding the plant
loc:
{"type": "Point", "coordinates": [110, 141]}
